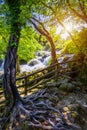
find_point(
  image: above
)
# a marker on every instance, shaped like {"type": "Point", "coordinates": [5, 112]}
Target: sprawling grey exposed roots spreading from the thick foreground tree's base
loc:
{"type": "Point", "coordinates": [37, 112]}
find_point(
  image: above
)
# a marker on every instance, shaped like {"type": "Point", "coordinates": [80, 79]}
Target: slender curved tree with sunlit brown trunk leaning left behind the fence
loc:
{"type": "Point", "coordinates": [36, 13]}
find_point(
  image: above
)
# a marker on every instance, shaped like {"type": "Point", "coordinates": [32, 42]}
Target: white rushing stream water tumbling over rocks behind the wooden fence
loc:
{"type": "Point", "coordinates": [41, 60]}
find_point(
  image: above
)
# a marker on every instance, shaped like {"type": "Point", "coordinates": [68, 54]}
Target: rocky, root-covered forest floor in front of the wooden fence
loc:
{"type": "Point", "coordinates": [53, 109]}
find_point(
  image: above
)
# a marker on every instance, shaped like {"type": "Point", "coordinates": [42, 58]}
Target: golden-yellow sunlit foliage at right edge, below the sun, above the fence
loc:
{"type": "Point", "coordinates": [81, 42]}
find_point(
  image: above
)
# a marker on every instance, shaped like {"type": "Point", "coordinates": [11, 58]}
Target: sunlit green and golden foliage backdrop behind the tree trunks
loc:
{"type": "Point", "coordinates": [31, 40]}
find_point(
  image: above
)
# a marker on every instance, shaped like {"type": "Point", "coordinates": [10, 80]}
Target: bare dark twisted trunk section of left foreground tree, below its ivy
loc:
{"type": "Point", "coordinates": [9, 80]}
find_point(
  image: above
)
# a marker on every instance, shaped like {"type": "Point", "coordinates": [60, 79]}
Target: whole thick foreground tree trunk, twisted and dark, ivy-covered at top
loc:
{"type": "Point", "coordinates": [9, 81]}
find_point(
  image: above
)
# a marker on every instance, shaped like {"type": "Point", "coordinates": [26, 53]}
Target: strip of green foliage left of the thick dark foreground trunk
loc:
{"type": "Point", "coordinates": [4, 30]}
